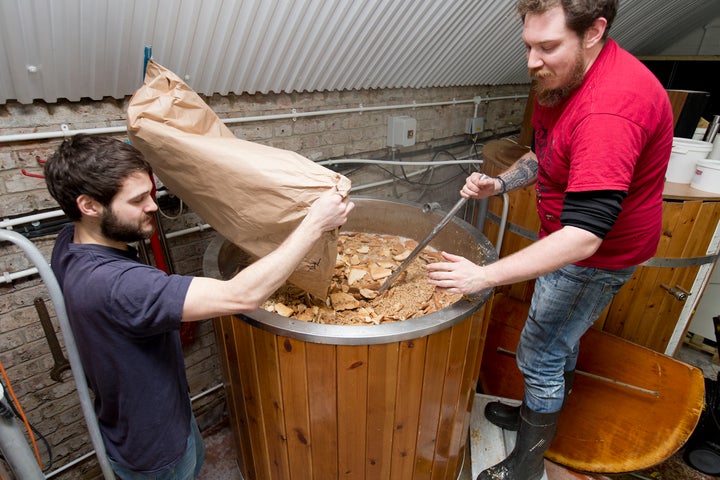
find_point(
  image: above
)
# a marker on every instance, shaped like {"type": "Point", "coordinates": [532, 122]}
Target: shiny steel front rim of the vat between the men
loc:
{"type": "Point", "coordinates": [411, 329]}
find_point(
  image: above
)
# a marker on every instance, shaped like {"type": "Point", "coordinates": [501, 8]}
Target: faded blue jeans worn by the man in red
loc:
{"type": "Point", "coordinates": [564, 305]}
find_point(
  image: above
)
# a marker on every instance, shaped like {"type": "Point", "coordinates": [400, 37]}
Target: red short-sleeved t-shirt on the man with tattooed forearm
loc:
{"type": "Point", "coordinates": [614, 132]}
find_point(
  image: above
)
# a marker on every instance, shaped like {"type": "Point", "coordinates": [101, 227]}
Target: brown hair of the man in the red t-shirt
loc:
{"type": "Point", "coordinates": [579, 14]}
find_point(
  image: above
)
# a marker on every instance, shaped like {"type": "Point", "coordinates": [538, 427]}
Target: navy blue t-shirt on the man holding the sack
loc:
{"type": "Point", "coordinates": [125, 318]}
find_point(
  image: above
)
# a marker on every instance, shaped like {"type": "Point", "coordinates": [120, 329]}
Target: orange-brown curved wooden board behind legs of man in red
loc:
{"type": "Point", "coordinates": [630, 408]}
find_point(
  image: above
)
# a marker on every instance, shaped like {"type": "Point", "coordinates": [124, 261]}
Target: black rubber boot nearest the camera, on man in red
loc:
{"type": "Point", "coordinates": [526, 462]}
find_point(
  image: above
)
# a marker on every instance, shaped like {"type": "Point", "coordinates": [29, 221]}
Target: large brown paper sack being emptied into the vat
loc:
{"type": "Point", "coordinates": [252, 194]}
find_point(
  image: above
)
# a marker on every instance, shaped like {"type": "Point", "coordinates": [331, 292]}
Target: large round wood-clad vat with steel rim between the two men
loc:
{"type": "Point", "coordinates": [389, 401]}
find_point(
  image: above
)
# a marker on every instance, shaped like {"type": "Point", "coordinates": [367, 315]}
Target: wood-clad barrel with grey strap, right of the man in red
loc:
{"type": "Point", "coordinates": [655, 307]}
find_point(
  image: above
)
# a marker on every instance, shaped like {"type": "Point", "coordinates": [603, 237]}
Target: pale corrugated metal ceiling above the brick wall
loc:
{"type": "Point", "coordinates": [55, 49]}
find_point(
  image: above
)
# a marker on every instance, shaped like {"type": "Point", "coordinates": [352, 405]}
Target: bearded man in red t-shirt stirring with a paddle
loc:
{"type": "Point", "coordinates": [603, 130]}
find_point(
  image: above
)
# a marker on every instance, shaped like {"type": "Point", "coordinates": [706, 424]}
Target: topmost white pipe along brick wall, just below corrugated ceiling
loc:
{"type": "Point", "coordinates": [66, 132]}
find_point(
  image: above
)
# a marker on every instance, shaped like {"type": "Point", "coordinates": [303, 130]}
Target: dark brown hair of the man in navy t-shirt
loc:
{"type": "Point", "coordinates": [90, 165]}
